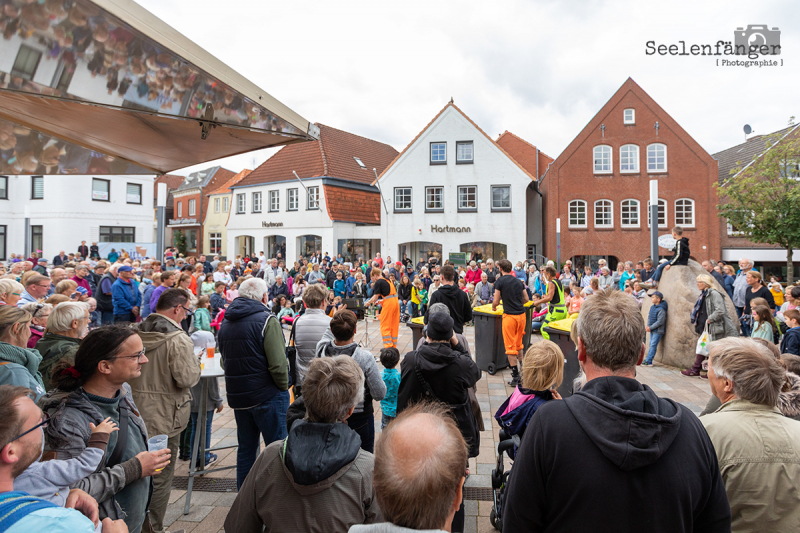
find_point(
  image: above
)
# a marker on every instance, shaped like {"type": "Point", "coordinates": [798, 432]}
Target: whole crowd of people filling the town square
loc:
{"type": "Point", "coordinates": [84, 391]}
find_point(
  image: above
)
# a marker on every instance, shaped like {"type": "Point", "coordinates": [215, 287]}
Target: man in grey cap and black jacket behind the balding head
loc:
{"type": "Point", "coordinates": [442, 370]}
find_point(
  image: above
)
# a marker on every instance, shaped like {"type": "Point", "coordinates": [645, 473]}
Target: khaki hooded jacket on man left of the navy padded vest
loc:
{"type": "Point", "coordinates": [163, 389]}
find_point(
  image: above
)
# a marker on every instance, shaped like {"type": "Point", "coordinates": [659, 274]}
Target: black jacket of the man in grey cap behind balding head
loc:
{"type": "Point", "coordinates": [449, 371]}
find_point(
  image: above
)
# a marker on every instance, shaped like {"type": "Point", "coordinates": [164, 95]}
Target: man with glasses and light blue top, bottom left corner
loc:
{"type": "Point", "coordinates": [21, 441]}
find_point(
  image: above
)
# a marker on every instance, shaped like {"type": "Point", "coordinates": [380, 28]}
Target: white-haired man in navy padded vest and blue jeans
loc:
{"type": "Point", "coordinates": [256, 372]}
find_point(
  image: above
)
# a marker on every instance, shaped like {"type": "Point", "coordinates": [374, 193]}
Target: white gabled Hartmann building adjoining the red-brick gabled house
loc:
{"type": "Point", "coordinates": [454, 189]}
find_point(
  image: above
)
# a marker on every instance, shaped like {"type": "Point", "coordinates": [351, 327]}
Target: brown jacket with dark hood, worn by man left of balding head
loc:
{"type": "Point", "coordinates": [317, 480]}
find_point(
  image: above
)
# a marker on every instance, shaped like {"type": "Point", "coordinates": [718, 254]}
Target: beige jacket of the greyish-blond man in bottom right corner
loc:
{"type": "Point", "coordinates": [759, 457]}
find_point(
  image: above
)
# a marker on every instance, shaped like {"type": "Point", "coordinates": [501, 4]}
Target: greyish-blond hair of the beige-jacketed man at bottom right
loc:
{"type": "Point", "coordinates": [756, 374]}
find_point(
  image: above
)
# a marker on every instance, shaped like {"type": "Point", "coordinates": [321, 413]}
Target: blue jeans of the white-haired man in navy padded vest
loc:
{"type": "Point", "coordinates": [267, 420]}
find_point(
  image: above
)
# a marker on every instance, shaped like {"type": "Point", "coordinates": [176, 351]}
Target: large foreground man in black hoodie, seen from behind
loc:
{"type": "Point", "coordinates": [615, 457]}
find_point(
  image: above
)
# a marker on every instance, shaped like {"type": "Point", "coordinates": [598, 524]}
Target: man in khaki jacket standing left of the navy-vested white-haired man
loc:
{"type": "Point", "coordinates": [163, 390]}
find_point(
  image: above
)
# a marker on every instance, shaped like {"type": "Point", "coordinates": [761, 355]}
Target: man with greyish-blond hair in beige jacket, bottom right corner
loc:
{"type": "Point", "coordinates": [758, 448]}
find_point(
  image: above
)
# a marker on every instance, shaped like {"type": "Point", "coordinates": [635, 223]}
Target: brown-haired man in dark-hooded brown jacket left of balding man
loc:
{"type": "Point", "coordinates": [290, 489]}
